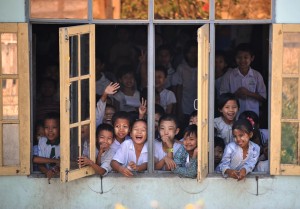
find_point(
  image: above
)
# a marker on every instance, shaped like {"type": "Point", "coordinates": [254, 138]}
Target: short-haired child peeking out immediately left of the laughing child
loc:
{"type": "Point", "coordinates": [121, 124]}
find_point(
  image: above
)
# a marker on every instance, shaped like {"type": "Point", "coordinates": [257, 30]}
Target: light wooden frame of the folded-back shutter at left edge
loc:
{"type": "Point", "coordinates": [23, 168]}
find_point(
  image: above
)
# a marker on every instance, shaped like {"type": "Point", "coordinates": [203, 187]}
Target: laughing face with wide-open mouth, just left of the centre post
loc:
{"type": "Point", "coordinates": [139, 132]}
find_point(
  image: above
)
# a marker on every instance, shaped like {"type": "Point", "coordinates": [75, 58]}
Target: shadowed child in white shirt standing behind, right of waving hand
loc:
{"type": "Point", "coordinates": [128, 98]}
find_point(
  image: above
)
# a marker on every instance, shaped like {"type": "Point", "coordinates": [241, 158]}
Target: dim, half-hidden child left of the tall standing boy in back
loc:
{"type": "Point", "coordinates": [220, 70]}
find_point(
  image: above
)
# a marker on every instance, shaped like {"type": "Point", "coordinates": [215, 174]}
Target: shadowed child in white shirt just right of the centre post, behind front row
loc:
{"type": "Point", "coordinates": [167, 97]}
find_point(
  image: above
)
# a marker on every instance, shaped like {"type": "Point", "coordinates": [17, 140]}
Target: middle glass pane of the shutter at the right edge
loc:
{"type": "Point", "coordinates": [290, 98]}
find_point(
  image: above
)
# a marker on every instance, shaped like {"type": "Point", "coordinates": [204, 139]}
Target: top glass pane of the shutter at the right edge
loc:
{"type": "Point", "coordinates": [291, 53]}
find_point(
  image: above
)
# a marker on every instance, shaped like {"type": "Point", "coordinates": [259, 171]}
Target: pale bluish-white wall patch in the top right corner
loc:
{"type": "Point", "coordinates": [287, 11]}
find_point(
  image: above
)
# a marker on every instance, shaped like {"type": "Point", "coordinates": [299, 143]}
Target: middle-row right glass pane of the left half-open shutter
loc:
{"type": "Point", "coordinates": [85, 100]}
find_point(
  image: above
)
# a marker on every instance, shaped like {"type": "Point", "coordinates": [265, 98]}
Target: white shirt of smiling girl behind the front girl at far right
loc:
{"type": "Point", "coordinates": [223, 130]}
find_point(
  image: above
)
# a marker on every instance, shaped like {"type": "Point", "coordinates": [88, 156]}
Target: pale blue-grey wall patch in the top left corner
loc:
{"type": "Point", "coordinates": [12, 11]}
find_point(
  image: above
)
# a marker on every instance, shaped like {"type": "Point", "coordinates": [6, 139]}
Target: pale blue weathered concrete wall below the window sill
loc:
{"type": "Point", "coordinates": [138, 193]}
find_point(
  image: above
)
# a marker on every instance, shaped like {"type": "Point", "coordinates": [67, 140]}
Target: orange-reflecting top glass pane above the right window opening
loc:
{"type": "Point", "coordinates": [243, 9]}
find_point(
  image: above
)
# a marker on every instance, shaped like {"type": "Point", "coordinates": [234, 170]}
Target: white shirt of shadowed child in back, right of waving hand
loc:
{"type": "Point", "coordinates": [128, 103]}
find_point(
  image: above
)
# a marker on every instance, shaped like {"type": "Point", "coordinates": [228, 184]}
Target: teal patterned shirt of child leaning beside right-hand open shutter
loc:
{"type": "Point", "coordinates": [180, 158]}
